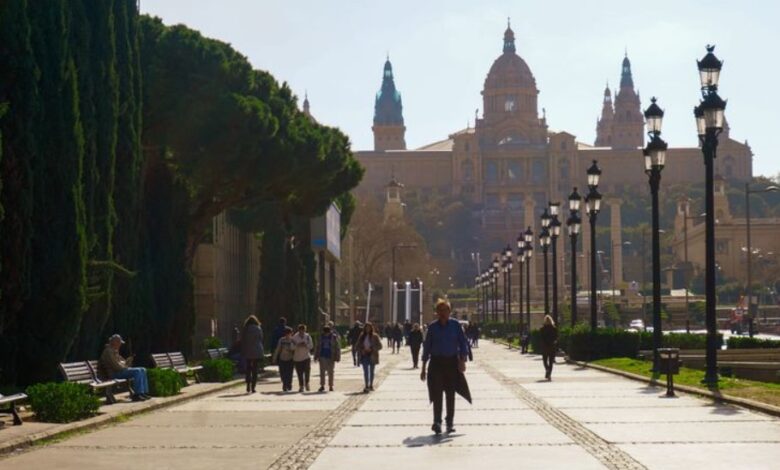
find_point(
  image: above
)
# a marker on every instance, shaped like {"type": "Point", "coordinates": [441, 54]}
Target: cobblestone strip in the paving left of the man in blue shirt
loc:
{"type": "Point", "coordinates": [304, 452]}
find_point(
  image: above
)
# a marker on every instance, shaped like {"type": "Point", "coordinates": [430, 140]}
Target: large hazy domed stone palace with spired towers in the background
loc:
{"type": "Point", "coordinates": [509, 165]}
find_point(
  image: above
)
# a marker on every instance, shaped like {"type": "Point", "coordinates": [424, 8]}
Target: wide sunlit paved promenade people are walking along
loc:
{"type": "Point", "coordinates": [583, 419]}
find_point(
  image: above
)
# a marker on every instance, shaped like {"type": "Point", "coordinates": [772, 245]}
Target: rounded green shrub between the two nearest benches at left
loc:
{"type": "Point", "coordinates": [62, 402]}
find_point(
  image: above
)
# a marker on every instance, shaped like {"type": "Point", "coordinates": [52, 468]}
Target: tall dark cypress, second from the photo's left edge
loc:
{"type": "Point", "coordinates": [50, 319]}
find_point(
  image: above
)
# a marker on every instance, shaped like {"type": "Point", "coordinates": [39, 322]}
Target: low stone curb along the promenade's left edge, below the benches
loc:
{"type": "Point", "coordinates": [90, 424]}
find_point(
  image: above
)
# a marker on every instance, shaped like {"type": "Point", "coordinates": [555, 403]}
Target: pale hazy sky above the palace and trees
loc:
{"type": "Point", "coordinates": [441, 51]}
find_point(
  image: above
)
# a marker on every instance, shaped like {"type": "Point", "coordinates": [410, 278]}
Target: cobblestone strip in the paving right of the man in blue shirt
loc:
{"type": "Point", "coordinates": [609, 455]}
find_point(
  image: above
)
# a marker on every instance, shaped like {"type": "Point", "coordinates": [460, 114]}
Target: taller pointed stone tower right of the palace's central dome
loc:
{"type": "Point", "coordinates": [628, 126]}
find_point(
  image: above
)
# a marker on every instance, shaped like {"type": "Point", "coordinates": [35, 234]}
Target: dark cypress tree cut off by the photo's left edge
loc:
{"type": "Point", "coordinates": [18, 90]}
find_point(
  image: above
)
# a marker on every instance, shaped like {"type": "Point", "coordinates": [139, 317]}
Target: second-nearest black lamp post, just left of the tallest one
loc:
{"type": "Point", "coordinates": [655, 157]}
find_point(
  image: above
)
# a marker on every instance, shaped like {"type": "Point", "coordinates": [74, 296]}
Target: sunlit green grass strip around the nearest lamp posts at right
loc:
{"type": "Point", "coordinates": [763, 392]}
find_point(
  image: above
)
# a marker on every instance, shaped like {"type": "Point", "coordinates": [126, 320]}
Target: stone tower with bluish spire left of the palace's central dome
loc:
{"type": "Point", "coordinates": [388, 126]}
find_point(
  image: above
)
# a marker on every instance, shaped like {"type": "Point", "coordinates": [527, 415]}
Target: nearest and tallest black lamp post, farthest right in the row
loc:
{"type": "Point", "coordinates": [709, 124]}
